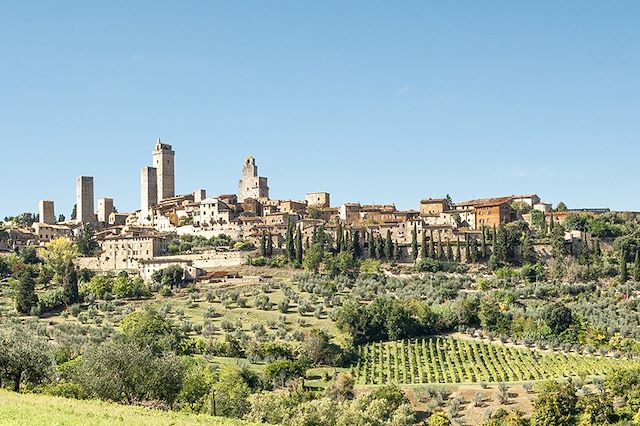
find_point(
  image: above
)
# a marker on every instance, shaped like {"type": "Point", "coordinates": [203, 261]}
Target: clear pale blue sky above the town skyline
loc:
{"type": "Point", "coordinates": [371, 101]}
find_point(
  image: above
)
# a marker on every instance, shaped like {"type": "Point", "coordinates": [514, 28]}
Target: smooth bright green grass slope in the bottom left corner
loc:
{"type": "Point", "coordinates": [23, 410]}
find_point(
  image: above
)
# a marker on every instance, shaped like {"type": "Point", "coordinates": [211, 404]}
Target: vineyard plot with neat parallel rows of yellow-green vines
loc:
{"type": "Point", "coordinates": [450, 360]}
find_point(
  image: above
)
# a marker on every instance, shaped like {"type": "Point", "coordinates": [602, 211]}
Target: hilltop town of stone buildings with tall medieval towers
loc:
{"type": "Point", "coordinates": [141, 241]}
